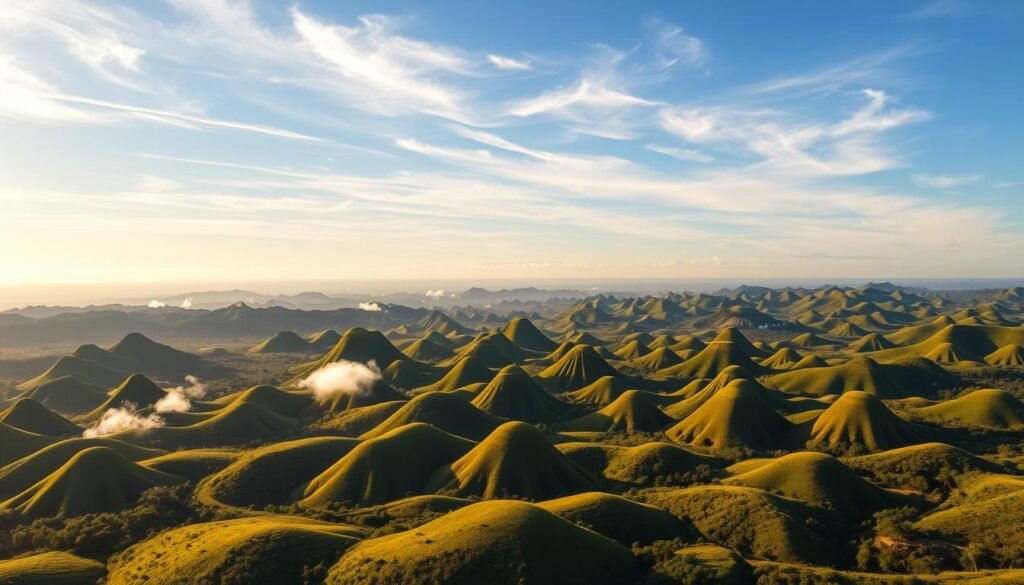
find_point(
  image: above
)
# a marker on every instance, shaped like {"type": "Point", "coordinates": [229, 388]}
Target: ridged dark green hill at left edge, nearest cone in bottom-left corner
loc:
{"type": "Point", "coordinates": [96, 480]}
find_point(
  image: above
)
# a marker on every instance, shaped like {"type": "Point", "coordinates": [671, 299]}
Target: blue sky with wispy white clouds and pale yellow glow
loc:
{"type": "Point", "coordinates": [230, 141]}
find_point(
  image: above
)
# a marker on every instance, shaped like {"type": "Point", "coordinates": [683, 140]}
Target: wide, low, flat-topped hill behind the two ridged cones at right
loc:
{"type": "Point", "coordinates": [913, 378]}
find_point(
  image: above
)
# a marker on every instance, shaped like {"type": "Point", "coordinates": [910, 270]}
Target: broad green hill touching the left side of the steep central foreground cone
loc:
{"type": "Point", "coordinates": [390, 468]}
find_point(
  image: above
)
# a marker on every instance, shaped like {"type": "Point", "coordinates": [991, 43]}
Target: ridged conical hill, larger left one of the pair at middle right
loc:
{"type": "Point", "coordinates": [740, 414]}
